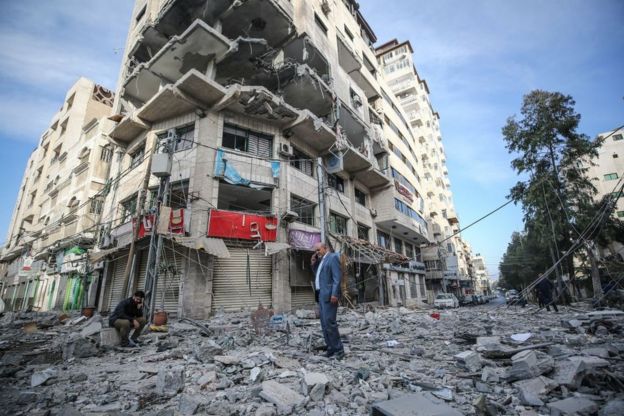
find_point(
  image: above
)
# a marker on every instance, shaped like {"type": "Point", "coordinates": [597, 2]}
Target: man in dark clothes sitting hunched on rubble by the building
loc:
{"type": "Point", "coordinates": [127, 315]}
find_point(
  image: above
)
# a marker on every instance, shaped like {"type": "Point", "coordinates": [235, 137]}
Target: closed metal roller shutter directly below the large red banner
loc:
{"type": "Point", "coordinates": [230, 286]}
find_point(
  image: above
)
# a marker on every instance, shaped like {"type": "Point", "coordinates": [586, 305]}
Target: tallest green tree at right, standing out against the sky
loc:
{"type": "Point", "coordinates": [548, 149]}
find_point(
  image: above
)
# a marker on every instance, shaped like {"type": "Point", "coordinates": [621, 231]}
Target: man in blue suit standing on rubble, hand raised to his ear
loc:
{"type": "Point", "coordinates": [328, 273]}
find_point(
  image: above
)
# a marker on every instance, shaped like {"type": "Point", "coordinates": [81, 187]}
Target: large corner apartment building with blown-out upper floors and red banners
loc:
{"type": "Point", "coordinates": [267, 110]}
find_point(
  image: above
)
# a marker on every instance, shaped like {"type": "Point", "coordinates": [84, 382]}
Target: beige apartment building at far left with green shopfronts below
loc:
{"type": "Point", "coordinates": [43, 263]}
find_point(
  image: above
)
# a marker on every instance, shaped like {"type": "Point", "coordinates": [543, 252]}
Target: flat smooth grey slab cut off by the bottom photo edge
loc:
{"type": "Point", "coordinates": [418, 404]}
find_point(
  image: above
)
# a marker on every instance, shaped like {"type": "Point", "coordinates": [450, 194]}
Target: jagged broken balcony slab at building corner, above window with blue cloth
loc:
{"type": "Point", "coordinates": [257, 102]}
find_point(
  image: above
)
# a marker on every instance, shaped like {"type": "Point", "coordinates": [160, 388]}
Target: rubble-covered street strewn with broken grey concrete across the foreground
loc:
{"type": "Point", "coordinates": [478, 360]}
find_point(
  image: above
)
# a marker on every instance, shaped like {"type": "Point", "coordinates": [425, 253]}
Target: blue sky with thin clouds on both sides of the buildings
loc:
{"type": "Point", "coordinates": [478, 57]}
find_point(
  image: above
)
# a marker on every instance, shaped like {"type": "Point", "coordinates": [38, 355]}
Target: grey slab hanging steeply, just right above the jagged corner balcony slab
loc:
{"type": "Point", "coordinates": [304, 89]}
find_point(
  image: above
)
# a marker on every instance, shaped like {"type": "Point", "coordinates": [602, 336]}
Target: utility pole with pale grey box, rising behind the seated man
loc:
{"type": "Point", "coordinates": [161, 167]}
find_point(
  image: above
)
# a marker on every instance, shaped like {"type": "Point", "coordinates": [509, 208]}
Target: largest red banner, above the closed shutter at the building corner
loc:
{"type": "Point", "coordinates": [233, 224]}
